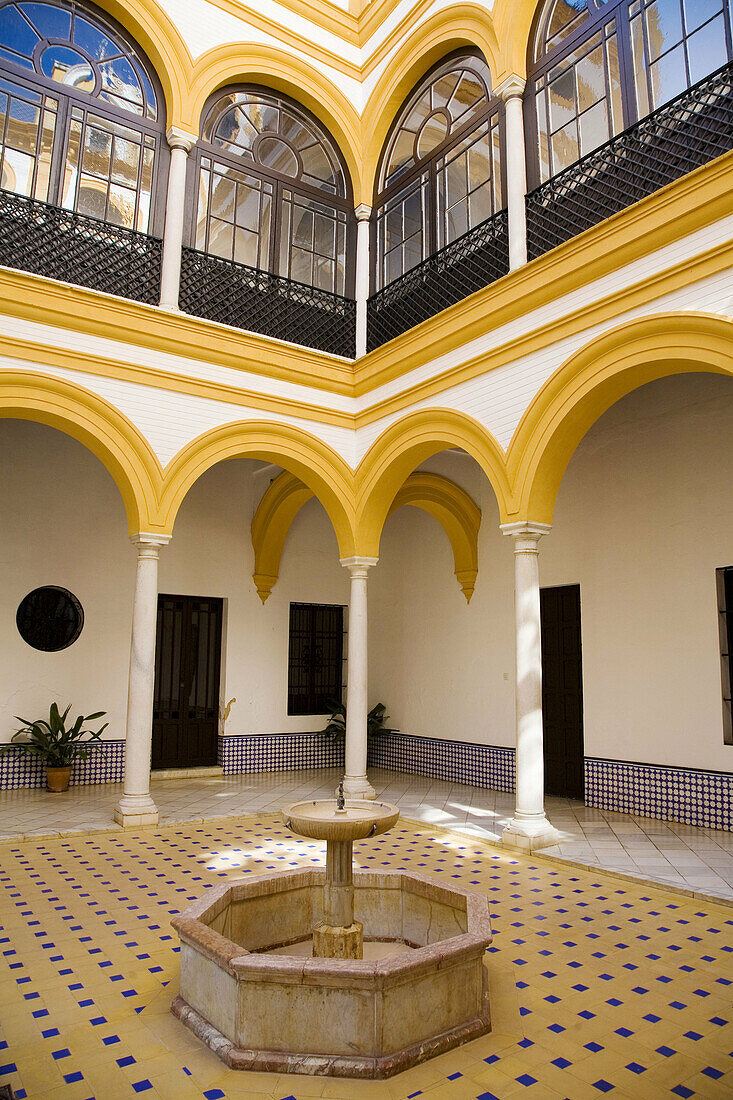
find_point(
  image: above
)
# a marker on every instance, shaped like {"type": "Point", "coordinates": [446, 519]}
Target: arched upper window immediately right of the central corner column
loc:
{"type": "Point", "coordinates": [442, 170]}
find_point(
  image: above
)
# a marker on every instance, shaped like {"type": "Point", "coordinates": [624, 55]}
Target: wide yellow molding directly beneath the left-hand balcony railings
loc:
{"type": "Point", "coordinates": [78, 310]}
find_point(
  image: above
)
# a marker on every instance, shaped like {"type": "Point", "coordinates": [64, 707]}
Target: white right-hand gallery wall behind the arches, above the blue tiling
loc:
{"type": "Point", "coordinates": [644, 518]}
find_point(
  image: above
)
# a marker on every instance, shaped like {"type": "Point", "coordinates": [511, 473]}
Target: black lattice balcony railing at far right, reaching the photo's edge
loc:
{"type": "Point", "coordinates": [676, 139]}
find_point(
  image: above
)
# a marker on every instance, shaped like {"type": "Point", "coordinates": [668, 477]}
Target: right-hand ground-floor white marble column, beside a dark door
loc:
{"type": "Point", "coordinates": [530, 829]}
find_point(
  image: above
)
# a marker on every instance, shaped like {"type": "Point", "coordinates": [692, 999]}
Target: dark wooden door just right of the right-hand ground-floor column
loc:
{"type": "Point", "coordinates": [563, 691]}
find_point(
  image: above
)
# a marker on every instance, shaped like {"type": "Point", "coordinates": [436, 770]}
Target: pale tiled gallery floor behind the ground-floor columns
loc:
{"type": "Point", "coordinates": [691, 859]}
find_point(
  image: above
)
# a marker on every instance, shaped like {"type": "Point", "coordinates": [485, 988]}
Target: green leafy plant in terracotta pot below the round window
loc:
{"type": "Point", "coordinates": [57, 745]}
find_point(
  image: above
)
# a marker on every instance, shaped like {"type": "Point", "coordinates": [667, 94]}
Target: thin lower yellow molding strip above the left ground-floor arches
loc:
{"type": "Point", "coordinates": [90, 362]}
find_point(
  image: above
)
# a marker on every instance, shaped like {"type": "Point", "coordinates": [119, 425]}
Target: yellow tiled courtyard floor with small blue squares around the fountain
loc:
{"type": "Point", "coordinates": [598, 986]}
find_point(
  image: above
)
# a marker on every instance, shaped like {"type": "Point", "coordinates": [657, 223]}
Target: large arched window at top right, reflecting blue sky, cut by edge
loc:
{"type": "Point", "coordinates": [598, 67]}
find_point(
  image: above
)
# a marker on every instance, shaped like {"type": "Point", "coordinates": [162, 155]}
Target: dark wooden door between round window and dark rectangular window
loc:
{"type": "Point", "coordinates": [188, 668]}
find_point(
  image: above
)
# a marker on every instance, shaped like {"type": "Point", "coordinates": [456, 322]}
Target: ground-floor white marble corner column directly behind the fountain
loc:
{"type": "Point", "coordinates": [356, 785]}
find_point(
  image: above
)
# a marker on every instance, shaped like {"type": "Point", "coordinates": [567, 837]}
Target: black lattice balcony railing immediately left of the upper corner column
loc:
{"type": "Point", "coordinates": [247, 299]}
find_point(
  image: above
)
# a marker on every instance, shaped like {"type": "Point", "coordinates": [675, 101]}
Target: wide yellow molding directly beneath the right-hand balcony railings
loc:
{"type": "Point", "coordinates": [681, 208]}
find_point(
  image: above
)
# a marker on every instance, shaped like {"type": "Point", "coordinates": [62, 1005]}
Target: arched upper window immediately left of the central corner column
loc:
{"type": "Point", "coordinates": [272, 192]}
